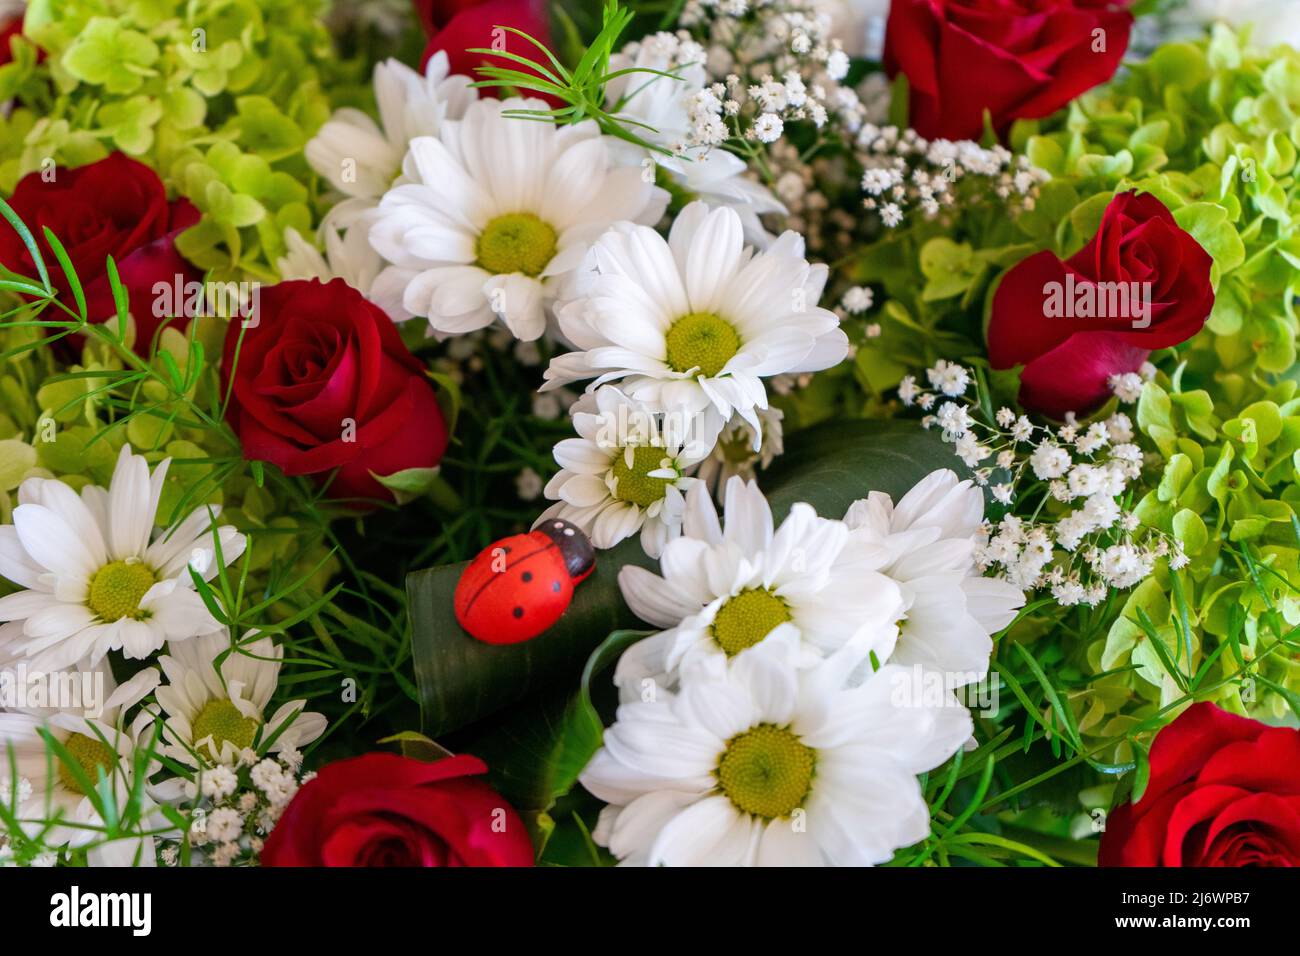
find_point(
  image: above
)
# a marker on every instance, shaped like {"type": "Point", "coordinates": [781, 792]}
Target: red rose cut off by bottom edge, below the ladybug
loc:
{"type": "Point", "coordinates": [387, 811]}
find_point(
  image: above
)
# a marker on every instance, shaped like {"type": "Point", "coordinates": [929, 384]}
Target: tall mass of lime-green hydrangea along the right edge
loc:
{"type": "Point", "coordinates": [1214, 131]}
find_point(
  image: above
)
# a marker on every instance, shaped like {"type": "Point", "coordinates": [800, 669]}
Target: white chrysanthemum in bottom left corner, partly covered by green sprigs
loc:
{"type": "Point", "coordinates": [59, 790]}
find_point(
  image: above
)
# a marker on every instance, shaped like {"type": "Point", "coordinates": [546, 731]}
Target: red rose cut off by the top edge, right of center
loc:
{"type": "Point", "coordinates": [1017, 59]}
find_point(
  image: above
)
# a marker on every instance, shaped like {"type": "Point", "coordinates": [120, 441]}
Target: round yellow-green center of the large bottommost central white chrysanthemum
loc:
{"type": "Point", "coordinates": [766, 772]}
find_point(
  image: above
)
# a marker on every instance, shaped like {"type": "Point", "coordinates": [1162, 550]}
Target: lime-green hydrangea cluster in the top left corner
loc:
{"type": "Point", "coordinates": [220, 97]}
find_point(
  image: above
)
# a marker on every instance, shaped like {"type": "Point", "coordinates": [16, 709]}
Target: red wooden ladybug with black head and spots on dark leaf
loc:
{"type": "Point", "coordinates": [521, 586]}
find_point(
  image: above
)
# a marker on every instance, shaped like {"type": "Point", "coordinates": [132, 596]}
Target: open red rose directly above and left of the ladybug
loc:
{"type": "Point", "coordinates": [324, 382]}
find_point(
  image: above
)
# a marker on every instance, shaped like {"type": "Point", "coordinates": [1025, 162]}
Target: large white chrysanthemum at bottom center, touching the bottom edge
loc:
{"type": "Point", "coordinates": [760, 763]}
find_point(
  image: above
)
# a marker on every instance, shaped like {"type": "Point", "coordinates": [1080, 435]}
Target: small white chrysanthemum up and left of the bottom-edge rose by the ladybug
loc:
{"type": "Point", "coordinates": [219, 715]}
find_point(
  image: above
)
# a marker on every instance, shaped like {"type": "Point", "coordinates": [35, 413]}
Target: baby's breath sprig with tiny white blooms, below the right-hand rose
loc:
{"type": "Point", "coordinates": [1069, 527]}
